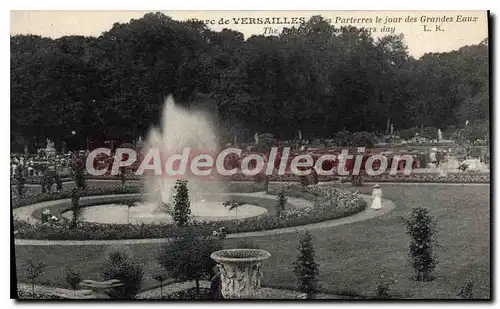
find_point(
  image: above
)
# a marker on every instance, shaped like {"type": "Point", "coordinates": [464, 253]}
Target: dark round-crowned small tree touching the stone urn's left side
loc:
{"type": "Point", "coordinates": [187, 257]}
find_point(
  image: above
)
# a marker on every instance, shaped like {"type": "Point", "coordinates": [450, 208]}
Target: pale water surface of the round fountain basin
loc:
{"type": "Point", "coordinates": [150, 213]}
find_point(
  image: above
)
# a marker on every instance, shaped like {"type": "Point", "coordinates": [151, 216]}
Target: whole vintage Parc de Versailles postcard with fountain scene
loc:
{"type": "Point", "coordinates": [215, 155]}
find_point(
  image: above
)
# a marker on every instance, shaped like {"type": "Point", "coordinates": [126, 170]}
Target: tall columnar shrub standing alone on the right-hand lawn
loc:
{"type": "Point", "coordinates": [421, 227]}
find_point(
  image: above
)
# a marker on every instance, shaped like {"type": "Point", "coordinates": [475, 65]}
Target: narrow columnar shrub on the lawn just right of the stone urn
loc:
{"type": "Point", "coordinates": [306, 269]}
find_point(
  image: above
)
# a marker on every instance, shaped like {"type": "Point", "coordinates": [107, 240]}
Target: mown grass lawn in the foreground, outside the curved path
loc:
{"type": "Point", "coordinates": [351, 257]}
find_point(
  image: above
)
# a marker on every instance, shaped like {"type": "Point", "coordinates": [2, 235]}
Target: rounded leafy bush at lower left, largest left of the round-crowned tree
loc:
{"type": "Point", "coordinates": [120, 265]}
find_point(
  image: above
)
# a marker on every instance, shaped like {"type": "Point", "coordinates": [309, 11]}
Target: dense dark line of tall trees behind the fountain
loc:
{"type": "Point", "coordinates": [318, 80]}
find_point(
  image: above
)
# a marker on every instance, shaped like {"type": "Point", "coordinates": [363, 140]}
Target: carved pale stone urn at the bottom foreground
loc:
{"type": "Point", "coordinates": [240, 271]}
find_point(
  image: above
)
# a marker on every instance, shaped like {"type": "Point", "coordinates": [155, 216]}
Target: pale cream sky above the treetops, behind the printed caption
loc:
{"type": "Point", "coordinates": [454, 34]}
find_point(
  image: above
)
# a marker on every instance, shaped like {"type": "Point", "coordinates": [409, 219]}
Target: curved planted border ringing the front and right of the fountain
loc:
{"type": "Point", "coordinates": [329, 203]}
